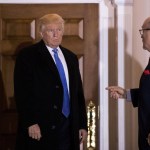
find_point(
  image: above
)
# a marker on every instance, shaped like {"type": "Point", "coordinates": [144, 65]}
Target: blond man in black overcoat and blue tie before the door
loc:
{"type": "Point", "coordinates": [39, 93]}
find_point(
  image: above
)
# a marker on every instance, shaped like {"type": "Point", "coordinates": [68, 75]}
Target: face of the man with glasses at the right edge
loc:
{"type": "Point", "coordinates": [146, 35]}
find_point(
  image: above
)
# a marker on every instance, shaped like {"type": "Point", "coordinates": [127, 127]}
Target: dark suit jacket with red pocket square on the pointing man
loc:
{"type": "Point", "coordinates": [141, 99]}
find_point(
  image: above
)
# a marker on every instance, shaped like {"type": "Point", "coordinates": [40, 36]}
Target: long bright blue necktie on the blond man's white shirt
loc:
{"type": "Point", "coordinates": [66, 105]}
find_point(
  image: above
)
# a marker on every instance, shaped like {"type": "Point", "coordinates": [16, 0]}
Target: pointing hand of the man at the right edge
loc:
{"type": "Point", "coordinates": [116, 92]}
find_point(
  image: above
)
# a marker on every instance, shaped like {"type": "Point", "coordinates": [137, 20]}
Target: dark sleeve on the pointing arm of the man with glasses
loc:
{"type": "Point", "coordinates": [135, 96]}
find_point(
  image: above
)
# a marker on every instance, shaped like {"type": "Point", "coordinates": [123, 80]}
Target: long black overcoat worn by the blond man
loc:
{"type": "Point", "coordinates": [39, 93]}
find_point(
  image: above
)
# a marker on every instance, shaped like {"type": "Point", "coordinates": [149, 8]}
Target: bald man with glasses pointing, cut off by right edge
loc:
{"type": "Point", "coordinates": [140, 97]}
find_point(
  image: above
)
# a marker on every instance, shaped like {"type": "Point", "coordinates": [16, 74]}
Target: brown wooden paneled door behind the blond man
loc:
{"type": "Point", "coordinates": [18, 29]}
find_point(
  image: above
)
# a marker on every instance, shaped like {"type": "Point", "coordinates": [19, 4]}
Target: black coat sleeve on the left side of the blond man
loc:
{"type": "Point", "coordinates": [23, 90]}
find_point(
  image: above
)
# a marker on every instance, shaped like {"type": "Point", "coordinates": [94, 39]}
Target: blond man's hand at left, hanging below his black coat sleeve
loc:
{"type": "Point", "coordinates": [35, 132]}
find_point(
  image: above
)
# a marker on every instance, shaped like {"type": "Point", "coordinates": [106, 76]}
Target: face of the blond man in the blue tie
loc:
{"type": "Point", "coordinates": [52, 34]}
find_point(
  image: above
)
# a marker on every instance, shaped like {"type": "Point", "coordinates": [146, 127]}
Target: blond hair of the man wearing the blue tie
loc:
{"type": "Point", "coordinates": [49, 19]}
